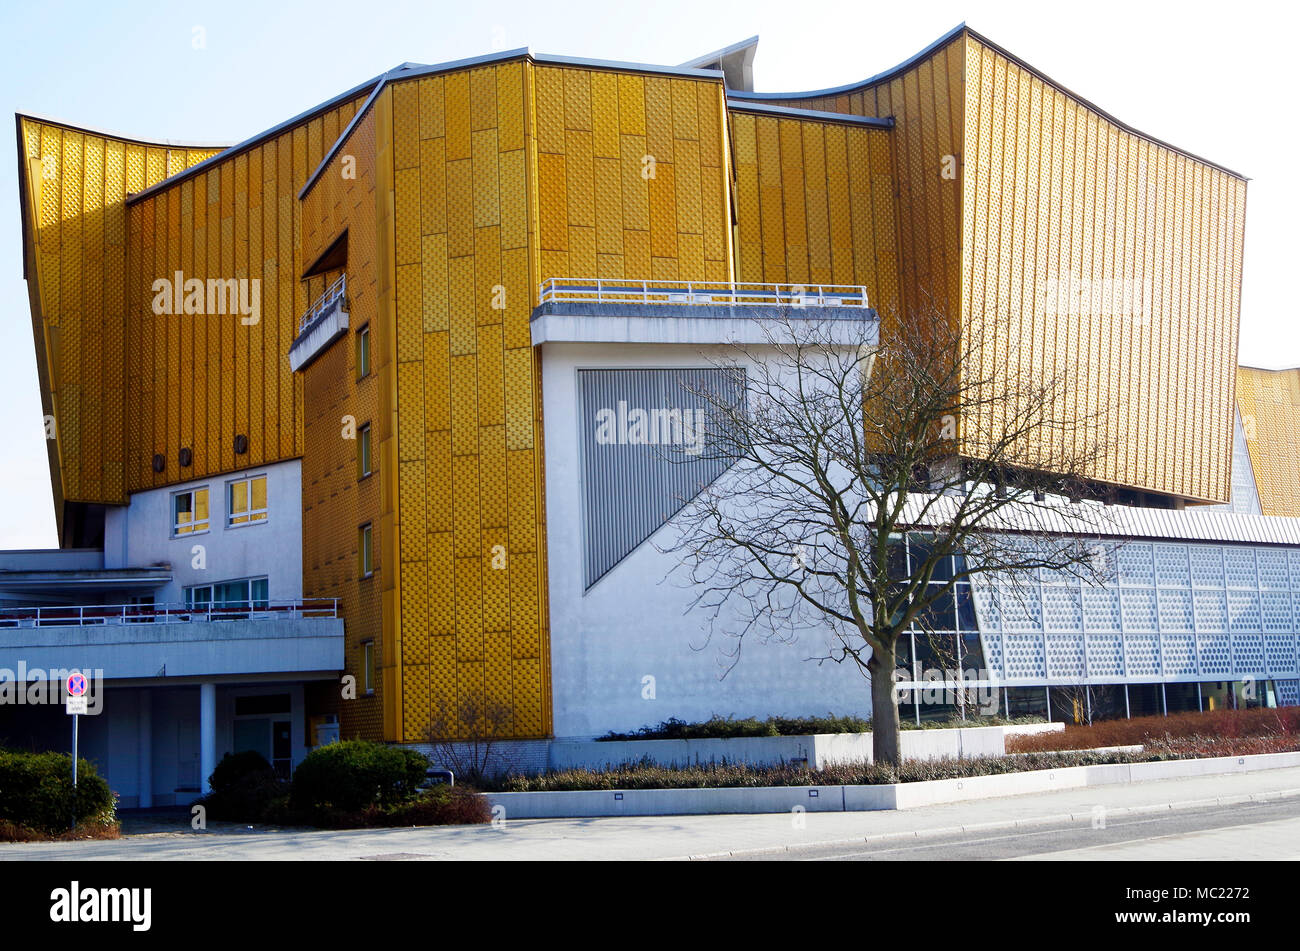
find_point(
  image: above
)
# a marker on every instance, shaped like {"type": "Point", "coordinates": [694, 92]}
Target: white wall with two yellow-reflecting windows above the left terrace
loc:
{"type": "Point", "coordinates": [140, 535]}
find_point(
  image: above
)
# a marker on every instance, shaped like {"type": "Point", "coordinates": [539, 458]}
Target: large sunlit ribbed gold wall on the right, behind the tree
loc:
{"type": "Point", "coordinates": [1112, 262]}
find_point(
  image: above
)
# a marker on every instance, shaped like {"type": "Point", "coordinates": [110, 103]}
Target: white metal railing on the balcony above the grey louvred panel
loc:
{"type": "Point", "coordinates": [582, 290]}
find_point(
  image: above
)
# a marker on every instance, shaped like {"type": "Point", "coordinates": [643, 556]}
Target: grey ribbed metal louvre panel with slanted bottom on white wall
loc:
{"type": "Point", "coordinates": [648, 442]}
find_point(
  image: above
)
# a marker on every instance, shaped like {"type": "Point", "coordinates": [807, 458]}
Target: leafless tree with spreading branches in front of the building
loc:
{"type": "Point", "coordinates": [874, 485]}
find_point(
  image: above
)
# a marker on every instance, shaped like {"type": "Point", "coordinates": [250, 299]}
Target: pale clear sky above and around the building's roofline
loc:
{"type": "Point", "coordinates": [1217, 80]}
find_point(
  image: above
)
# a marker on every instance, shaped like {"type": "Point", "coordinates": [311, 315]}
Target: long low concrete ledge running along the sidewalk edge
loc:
{"type": "Point", "coordinates": [904, 796]}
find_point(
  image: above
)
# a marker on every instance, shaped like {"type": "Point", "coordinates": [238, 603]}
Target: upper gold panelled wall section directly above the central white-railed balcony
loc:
{"type": "Point", "coordinates": [631, 179]}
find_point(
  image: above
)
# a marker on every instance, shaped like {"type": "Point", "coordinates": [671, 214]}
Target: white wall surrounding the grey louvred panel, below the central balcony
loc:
{"type": "Point", "coordinates": [632, 624]}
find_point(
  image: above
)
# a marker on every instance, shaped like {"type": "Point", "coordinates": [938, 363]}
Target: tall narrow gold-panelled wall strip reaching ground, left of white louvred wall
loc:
{"type": "Point", "coordinates": [469, 431]}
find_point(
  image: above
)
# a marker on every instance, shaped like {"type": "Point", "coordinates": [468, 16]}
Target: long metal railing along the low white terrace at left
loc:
{"type": "Point", "coordinates": [96, 615]}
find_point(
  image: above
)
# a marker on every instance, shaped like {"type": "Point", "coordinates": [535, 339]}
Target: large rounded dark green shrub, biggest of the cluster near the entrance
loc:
{"type": "Point", "coordinates": [354, 775]}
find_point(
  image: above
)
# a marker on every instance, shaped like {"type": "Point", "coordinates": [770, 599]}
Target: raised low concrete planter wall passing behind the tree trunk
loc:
{"type": "Point", "coordinates": [818, 750]}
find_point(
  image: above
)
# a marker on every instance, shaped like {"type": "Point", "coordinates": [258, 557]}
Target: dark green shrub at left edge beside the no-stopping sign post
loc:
{"type": "Point", "coordinates": [37, 794]}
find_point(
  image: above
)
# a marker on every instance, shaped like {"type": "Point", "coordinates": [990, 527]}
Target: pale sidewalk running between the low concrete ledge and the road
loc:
{"type": "Point", "coordinates": [675, 837]}
